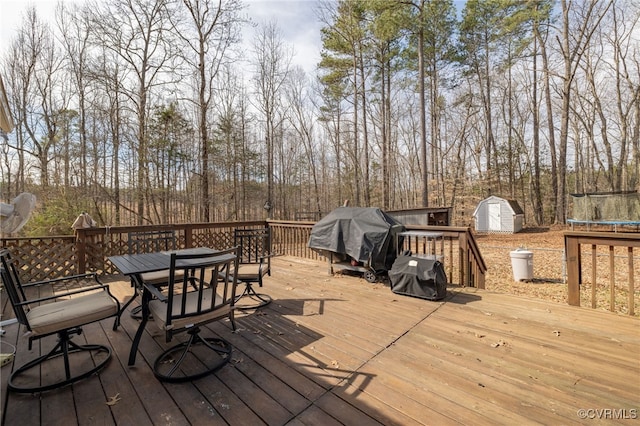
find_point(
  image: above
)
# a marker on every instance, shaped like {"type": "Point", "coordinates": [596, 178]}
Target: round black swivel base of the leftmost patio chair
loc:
{"type": "Point", "coordinates": [63, 348]}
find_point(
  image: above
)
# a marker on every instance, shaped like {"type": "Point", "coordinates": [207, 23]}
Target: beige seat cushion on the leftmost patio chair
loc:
{"type": "Point", "coordinates": [68, 313]}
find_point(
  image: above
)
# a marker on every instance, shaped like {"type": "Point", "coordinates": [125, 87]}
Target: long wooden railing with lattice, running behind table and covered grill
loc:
{"type": "Point", "coordinates": [50, 257]}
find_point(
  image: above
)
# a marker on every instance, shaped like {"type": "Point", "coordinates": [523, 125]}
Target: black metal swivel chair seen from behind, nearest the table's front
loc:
{"type": "Point", "coordinates": [200, 290]}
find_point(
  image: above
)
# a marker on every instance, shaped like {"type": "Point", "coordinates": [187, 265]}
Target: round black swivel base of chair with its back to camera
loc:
{"type": "Point", "coordinates": [170, 365]}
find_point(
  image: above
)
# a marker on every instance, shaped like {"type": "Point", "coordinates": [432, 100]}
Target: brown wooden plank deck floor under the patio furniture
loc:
{"type": "Point", "coordinates": [338, 350]}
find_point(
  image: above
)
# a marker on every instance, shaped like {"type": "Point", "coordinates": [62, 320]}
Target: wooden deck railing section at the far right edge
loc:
{"type": "Point", "coordinates": [618, 249]}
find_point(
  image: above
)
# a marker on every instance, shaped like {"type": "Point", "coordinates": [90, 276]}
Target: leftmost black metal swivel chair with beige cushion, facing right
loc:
{"type": "Point", "coordinates": [62, 308]}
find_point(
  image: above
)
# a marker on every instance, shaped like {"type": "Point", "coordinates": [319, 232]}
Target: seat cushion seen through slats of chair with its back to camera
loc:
{"type": "Point", "coordinates": [158, 309]}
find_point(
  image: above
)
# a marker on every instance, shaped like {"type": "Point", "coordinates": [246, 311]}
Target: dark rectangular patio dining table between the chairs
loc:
{"type": "Point", "coordinates": [134, 266]}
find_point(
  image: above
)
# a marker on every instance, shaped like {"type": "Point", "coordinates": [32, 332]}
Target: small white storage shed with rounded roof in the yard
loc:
{"type": "Point", "coordinates": [495, 214]}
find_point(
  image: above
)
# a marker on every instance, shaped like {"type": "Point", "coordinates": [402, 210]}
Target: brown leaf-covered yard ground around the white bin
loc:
{"type": "Point", "coordinates": [549, 275]}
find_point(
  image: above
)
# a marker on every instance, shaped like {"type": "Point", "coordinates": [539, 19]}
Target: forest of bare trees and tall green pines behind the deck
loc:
{"type": "Point", "coordinates": [150, 111]}
